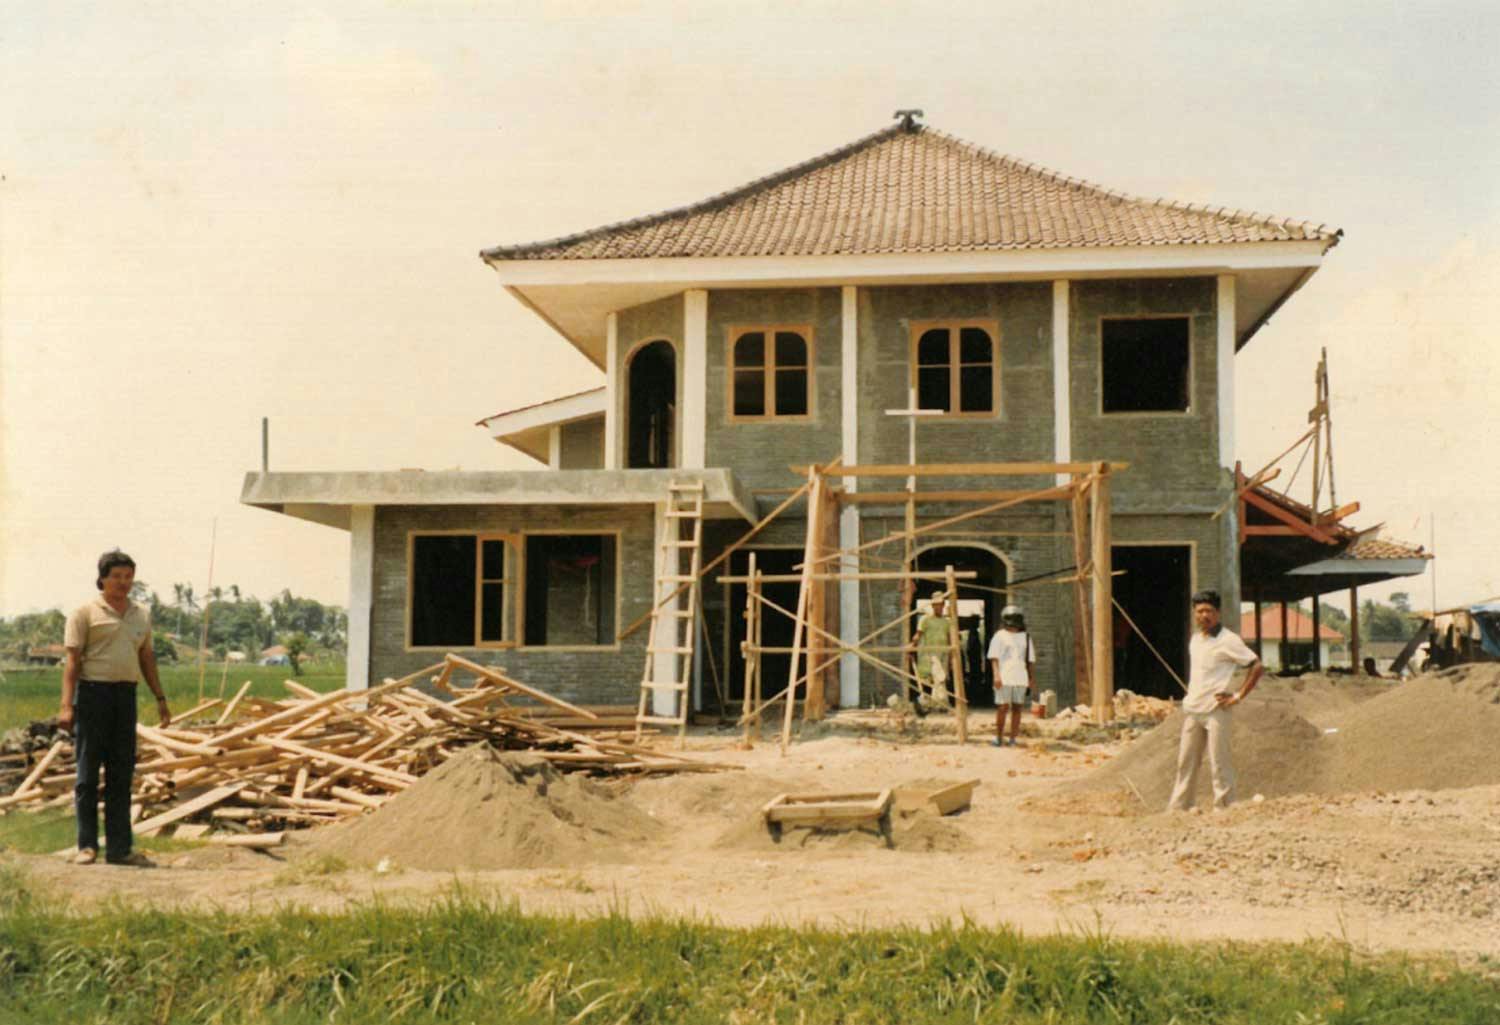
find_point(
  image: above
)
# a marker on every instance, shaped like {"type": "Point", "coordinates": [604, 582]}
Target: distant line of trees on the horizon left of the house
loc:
{"type": "Point", "coordinates": [236, 624]}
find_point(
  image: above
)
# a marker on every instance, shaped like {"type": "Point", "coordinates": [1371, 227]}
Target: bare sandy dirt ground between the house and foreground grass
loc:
{"type": "Point", "coordinates": [1409, 871]}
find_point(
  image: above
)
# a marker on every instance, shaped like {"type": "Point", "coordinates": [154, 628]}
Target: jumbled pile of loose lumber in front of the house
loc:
{"type": "Point", "coordinates": [250, 769]}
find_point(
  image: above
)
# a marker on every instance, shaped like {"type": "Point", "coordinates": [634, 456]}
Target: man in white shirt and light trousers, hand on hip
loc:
{"type": "Point", "coordinates": [1214, 655]}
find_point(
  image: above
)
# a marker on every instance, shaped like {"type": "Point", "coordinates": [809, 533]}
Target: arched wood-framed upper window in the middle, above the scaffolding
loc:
{"type": "Point", "coordinates": [956, 367]}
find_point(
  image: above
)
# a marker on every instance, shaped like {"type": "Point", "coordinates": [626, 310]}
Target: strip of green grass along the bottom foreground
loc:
{"type": "Point", "coordinates": [470, 961]}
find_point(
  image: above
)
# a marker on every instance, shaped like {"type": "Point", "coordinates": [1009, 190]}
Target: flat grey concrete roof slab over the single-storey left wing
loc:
{"type": "Point", "coordinates": [328, 497]}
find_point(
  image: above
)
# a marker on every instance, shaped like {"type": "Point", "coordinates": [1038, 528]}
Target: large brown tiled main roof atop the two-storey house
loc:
{"type": "Point", "coordinates": [913, 191]}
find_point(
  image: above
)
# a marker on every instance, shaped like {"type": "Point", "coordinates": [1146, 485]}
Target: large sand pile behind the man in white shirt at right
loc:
{"type": "Point", "coordinates": [1330, 738]}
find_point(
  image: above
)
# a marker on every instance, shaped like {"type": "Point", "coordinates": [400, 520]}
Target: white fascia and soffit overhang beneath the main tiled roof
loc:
{"type": "Point", "coordinates": [574, 296]}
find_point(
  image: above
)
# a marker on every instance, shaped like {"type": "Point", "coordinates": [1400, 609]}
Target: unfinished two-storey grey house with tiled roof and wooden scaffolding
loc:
{"type": "Point", "coordinates": [902, 367]}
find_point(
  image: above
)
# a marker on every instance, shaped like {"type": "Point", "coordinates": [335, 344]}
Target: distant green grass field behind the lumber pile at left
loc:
{"type": "Point", "coordinates": [34, 694]}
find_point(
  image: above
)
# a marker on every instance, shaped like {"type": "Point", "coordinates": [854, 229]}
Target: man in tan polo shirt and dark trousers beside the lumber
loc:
{"type": "Point", "coordinates": [109, 649]}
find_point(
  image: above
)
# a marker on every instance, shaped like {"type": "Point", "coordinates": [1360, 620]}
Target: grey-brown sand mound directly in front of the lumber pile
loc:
{"type": "Point", "coordinates": [485, 810]}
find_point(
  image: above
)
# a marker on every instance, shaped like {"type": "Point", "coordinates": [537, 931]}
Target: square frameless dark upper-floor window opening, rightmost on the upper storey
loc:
{"type": "Point", "coordinates": [1144, 365]}
